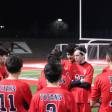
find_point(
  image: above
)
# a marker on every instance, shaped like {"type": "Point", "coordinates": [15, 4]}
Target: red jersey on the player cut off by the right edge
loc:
{"type": "Point", "coordinates": [103, 89]}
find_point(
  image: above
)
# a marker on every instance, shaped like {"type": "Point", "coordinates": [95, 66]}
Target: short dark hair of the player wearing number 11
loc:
{"type": "Point", "coordinates": [14, 63]}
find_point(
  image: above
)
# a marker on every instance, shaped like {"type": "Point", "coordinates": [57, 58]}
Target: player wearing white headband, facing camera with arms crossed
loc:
{"type": "Point", "coordinates": [82, 74]}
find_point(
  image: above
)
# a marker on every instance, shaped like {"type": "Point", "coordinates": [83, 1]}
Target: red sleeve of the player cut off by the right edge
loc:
{"type": "Point", "coordinates": [95, 94]}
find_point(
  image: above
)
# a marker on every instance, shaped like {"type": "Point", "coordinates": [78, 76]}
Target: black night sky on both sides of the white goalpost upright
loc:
{"type": "Point", "coordinates": [37, 15]}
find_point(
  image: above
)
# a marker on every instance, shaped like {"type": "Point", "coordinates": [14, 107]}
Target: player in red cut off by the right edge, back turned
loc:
{"type": "Point", "coordinates": [103, 86]}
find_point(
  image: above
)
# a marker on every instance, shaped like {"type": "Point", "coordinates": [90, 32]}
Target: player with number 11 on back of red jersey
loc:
{"type": "Point", "coordinates": [15, 95]}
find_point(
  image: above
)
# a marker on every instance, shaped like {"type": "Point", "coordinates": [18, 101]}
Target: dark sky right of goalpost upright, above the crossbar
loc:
{"type": "Point", "coordinates": [97, 18]}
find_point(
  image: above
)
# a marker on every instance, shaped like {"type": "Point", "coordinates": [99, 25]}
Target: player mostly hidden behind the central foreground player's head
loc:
{"type": "Point", "coordinates": [64, 82]}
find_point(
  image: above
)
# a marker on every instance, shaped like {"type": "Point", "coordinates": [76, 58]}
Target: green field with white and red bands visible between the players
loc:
{"type": "Point", "coordinates": [35, 74]}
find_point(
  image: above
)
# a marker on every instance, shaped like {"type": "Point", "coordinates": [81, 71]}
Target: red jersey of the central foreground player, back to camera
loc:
{"type": "Point", "coordinates": [52, 99]}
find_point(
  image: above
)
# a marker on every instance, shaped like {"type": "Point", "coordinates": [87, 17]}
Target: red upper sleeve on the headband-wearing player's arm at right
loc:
{"type": "Point", "coordinates": [89, 74]}
